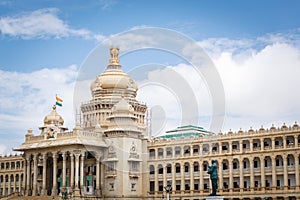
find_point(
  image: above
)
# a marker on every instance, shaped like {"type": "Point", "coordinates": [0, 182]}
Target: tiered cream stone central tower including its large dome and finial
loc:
{"type": "Point", "coordinates": [121, 117]}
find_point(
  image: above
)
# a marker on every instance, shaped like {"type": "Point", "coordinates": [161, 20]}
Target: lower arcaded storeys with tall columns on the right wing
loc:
{"type": "Point", "coordinates": [244, 177]}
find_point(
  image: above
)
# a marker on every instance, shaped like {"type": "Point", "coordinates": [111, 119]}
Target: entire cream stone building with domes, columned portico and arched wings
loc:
{"type": "Point", "coordinates": [109, 157]}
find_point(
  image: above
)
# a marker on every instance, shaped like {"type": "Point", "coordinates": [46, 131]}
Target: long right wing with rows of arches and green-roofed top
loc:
{"type": "Point", "coordinates": [262, 164]}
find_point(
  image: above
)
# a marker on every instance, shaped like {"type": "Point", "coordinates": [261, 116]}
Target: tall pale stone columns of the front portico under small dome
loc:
{"type": "Point", "coordinates": [76, 161]}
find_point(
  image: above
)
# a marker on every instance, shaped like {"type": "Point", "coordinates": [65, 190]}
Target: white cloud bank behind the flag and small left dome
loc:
{"type": "Point", "coordinates": [27, 97]}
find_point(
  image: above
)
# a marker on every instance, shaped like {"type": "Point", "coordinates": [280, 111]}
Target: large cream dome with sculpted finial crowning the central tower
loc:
{"type": "Point", "coordinates": [113, 81]}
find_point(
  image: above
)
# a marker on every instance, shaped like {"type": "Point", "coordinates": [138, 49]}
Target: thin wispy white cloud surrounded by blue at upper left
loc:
{"type": "Point", "coordinates": [42, 23]}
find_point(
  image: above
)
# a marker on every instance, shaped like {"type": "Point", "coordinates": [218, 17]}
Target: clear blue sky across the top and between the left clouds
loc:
{"type": "Point", "coordinates": [197, 19]}
